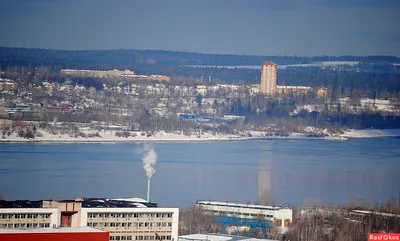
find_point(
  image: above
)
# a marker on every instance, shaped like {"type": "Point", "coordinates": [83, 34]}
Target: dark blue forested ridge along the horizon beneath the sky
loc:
{"type": "Point", "coordinates": [132, 59]}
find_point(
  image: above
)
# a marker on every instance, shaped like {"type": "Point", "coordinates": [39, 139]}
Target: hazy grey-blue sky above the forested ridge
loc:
{"type": "Point", "coordinates": [260, 27]}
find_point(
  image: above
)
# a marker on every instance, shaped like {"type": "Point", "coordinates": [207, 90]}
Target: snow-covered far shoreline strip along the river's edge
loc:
{"type": "Point", "coordinates": [162, 137]}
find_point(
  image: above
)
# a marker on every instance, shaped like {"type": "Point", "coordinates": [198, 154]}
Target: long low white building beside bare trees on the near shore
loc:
{"type": "Point", "coordinates": [280, 216]}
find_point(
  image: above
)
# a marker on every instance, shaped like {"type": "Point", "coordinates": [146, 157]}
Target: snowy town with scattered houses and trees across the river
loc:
{"type": "Point", "coordinates": [81, 103]}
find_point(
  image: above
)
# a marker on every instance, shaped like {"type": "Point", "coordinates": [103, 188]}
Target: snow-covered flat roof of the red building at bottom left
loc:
{"type": "Point", "coordinates": [52, 230]}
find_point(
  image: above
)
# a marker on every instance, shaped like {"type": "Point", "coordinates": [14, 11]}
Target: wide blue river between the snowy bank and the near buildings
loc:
{"type": "Point", "coordinates": [292, 171]}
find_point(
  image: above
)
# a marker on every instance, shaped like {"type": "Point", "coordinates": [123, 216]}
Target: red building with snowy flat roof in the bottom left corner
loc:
{"type": "Point", "coordinates": [51, 234]}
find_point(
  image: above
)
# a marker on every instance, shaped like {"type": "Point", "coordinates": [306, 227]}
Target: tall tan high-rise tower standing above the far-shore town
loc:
{"type": "Point", "coordinates": [268, 78]}
